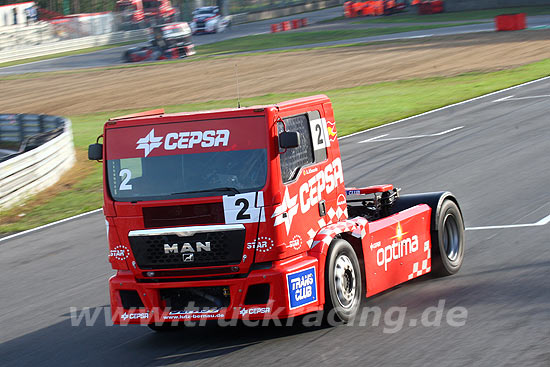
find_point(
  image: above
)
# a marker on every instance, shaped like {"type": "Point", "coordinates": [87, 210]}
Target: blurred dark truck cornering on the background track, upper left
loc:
{"type": "Point", "coordinates": [170, 41]}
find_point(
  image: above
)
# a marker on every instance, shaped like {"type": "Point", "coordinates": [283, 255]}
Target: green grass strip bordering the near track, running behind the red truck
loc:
{"type": "Point", "coordinates": [355, 109]}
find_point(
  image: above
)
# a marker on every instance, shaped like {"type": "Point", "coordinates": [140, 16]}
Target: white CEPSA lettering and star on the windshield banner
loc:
{"type": "Point", "coordinates": [184, 140]}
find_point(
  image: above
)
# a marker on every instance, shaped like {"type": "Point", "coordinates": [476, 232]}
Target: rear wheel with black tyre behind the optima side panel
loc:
{"type": "Point", "coordinates": [448, 240]}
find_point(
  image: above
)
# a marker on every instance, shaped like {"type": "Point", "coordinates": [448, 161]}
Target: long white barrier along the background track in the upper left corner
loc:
{"type": "Point", "coordinates": [73, 44]}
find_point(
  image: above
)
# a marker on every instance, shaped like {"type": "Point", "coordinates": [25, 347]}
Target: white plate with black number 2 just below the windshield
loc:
{"type": "Point", "coordinates": [244, 208]}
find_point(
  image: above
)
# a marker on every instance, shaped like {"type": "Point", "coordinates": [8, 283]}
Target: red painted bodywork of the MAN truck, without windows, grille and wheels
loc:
{"type": "Point", "coordinates": [290, 236]}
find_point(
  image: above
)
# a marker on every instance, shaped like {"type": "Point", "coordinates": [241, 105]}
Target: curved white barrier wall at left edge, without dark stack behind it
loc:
{"type": "Point", "coordinates": [37, 169]}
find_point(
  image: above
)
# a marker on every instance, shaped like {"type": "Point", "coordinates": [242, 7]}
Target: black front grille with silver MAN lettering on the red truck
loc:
{"type": "Point", "coordinates": [215, 248]}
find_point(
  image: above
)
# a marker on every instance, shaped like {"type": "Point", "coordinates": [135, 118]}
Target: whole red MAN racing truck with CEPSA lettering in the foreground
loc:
{"type": "Point", "coordinates": [243, 214]}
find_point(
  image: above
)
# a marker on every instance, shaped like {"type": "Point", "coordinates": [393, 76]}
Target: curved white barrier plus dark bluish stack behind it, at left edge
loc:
{"type": "Point", "coordinates": [45, 152]}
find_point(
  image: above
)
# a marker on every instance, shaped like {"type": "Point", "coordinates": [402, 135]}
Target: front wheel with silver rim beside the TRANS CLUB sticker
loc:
{"type": "Point", "coordinates": [343, 287]}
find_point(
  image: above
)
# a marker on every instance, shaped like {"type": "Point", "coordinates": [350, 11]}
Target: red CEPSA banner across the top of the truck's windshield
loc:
{"type": "Point", "coordinates": [186, 138]}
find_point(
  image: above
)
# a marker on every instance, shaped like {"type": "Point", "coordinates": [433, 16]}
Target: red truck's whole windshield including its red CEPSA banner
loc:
{"type": "Point", "coordinates": [191, 159]}
